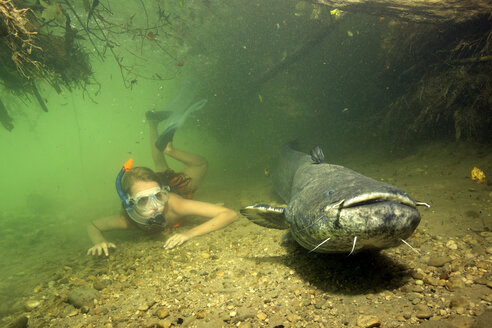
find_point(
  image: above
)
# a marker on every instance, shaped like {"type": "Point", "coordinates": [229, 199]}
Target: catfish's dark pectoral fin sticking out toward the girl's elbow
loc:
{"type": "Point", "coordinates": [266, 216]}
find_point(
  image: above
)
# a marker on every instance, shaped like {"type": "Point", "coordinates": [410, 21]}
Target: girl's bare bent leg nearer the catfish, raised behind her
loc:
{"type": "Point", "coordinates": [196, 165]}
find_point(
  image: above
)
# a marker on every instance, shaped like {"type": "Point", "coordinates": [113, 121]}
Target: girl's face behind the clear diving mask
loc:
{"type": "Point", "coordinates": [148, 198]}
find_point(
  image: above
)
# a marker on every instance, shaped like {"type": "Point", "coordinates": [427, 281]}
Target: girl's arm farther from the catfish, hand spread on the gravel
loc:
{"type": "Point", "coordinates": [95, 228]}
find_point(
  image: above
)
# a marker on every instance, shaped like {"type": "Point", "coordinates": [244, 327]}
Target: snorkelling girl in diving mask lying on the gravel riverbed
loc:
{"type": "Point", "coordinates": [154, 201]}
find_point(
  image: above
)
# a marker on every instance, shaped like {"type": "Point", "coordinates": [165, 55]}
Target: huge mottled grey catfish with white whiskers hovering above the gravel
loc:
{"type": "Point", "coordinates": [332, 209]}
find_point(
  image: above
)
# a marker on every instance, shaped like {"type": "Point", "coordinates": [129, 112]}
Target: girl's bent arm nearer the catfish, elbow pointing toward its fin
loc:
{"type": "Point", "coordinates": [220, 217]}
